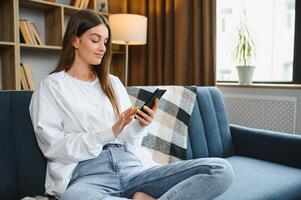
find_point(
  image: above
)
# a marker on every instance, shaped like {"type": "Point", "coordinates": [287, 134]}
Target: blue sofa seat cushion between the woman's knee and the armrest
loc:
{"type": "Point", "coordinates": [260, 180]}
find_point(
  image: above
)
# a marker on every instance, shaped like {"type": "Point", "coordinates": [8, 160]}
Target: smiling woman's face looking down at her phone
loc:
{"type": "Point", "coordinates": [91, 46]}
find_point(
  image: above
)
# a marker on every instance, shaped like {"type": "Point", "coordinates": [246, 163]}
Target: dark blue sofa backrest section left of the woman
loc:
{"type": "Point", "coordinates": [22, 165]}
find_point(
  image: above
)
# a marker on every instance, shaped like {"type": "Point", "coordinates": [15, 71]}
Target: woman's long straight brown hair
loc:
{"type": "Point", "coordinates": [78, 24]}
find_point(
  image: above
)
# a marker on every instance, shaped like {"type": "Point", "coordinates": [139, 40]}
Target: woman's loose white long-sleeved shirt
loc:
{"type": "Point", "coordinates": [73, 120]}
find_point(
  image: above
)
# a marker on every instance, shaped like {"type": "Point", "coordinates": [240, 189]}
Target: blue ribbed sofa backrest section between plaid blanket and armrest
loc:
{"type": "Point", "coordinates": [209, 131]}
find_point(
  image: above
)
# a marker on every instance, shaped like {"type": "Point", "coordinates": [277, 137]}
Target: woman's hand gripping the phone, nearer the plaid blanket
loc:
{"type": "Point", "coordinates": [146, 118]}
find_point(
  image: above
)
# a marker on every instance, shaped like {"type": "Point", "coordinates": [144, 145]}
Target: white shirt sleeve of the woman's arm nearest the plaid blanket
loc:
{"type": "Point", "coordinates": [133, 133]}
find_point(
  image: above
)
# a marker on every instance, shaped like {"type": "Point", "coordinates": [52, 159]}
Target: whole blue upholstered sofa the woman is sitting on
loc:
{"type": "Point", "coordinates": [267, 164]}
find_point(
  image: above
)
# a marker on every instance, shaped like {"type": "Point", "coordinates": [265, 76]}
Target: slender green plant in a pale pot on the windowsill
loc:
{"type": "Point", "coordinates": [244, 52]}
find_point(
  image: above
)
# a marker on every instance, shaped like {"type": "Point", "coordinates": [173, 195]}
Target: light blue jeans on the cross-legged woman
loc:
{"type": "Point", "coordinates": [117, 174]}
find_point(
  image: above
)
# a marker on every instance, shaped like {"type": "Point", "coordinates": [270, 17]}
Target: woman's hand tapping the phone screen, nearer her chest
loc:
{"type": "Point", "coordinates": [123, 119]}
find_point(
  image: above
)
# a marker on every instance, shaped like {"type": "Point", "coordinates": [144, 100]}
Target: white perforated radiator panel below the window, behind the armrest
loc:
{"type": "Point", "coordinates": [276, 113]}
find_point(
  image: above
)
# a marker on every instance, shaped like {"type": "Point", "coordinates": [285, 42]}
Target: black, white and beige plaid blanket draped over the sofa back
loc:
{"type": "Point", "coordinates": [167, 134]}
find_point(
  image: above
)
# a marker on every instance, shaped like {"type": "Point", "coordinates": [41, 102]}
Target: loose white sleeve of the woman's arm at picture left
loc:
{"type": "Point", "coordinates": [55, 144]}
